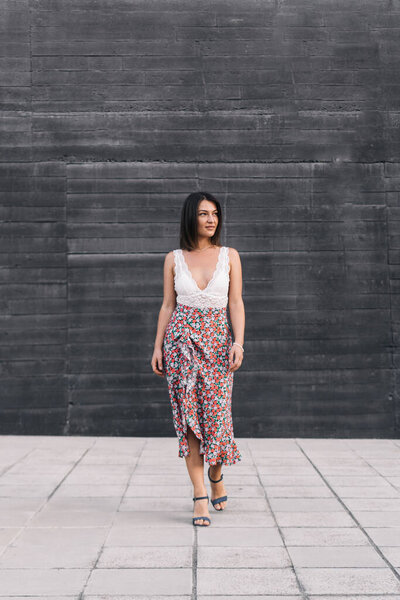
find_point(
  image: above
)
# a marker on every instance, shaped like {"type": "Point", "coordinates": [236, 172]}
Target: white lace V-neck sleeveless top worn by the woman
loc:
{"type": "Point", "coordinates": [215, 294]}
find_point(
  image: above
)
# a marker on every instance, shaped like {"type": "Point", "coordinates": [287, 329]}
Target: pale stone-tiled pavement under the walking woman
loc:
{"type": "Point", "coordinates": [106, 518]}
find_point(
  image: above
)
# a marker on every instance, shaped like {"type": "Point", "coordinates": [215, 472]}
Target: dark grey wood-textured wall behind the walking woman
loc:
{"type": "Point", "coordinates": [112, 112]}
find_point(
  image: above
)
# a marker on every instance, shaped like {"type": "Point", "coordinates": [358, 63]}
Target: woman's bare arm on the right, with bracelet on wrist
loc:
{"type": "Point", "coordinates": [236, 309]}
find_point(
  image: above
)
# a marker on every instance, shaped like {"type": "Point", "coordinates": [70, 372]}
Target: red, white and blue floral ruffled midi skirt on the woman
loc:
{"type": "Point", "coordinates": [196, 349]}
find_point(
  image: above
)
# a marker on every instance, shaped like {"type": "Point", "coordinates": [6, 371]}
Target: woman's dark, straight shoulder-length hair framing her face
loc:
{"type": "Point", "coordinates": [188, 233]}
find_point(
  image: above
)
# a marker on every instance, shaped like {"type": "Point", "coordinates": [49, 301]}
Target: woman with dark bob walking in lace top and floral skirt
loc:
{"type": "Point", "coordinates": [194, 346]}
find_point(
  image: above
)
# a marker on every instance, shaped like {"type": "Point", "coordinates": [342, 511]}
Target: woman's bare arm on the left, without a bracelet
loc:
{"type": "Point", "coordinates": [166, 310]}
